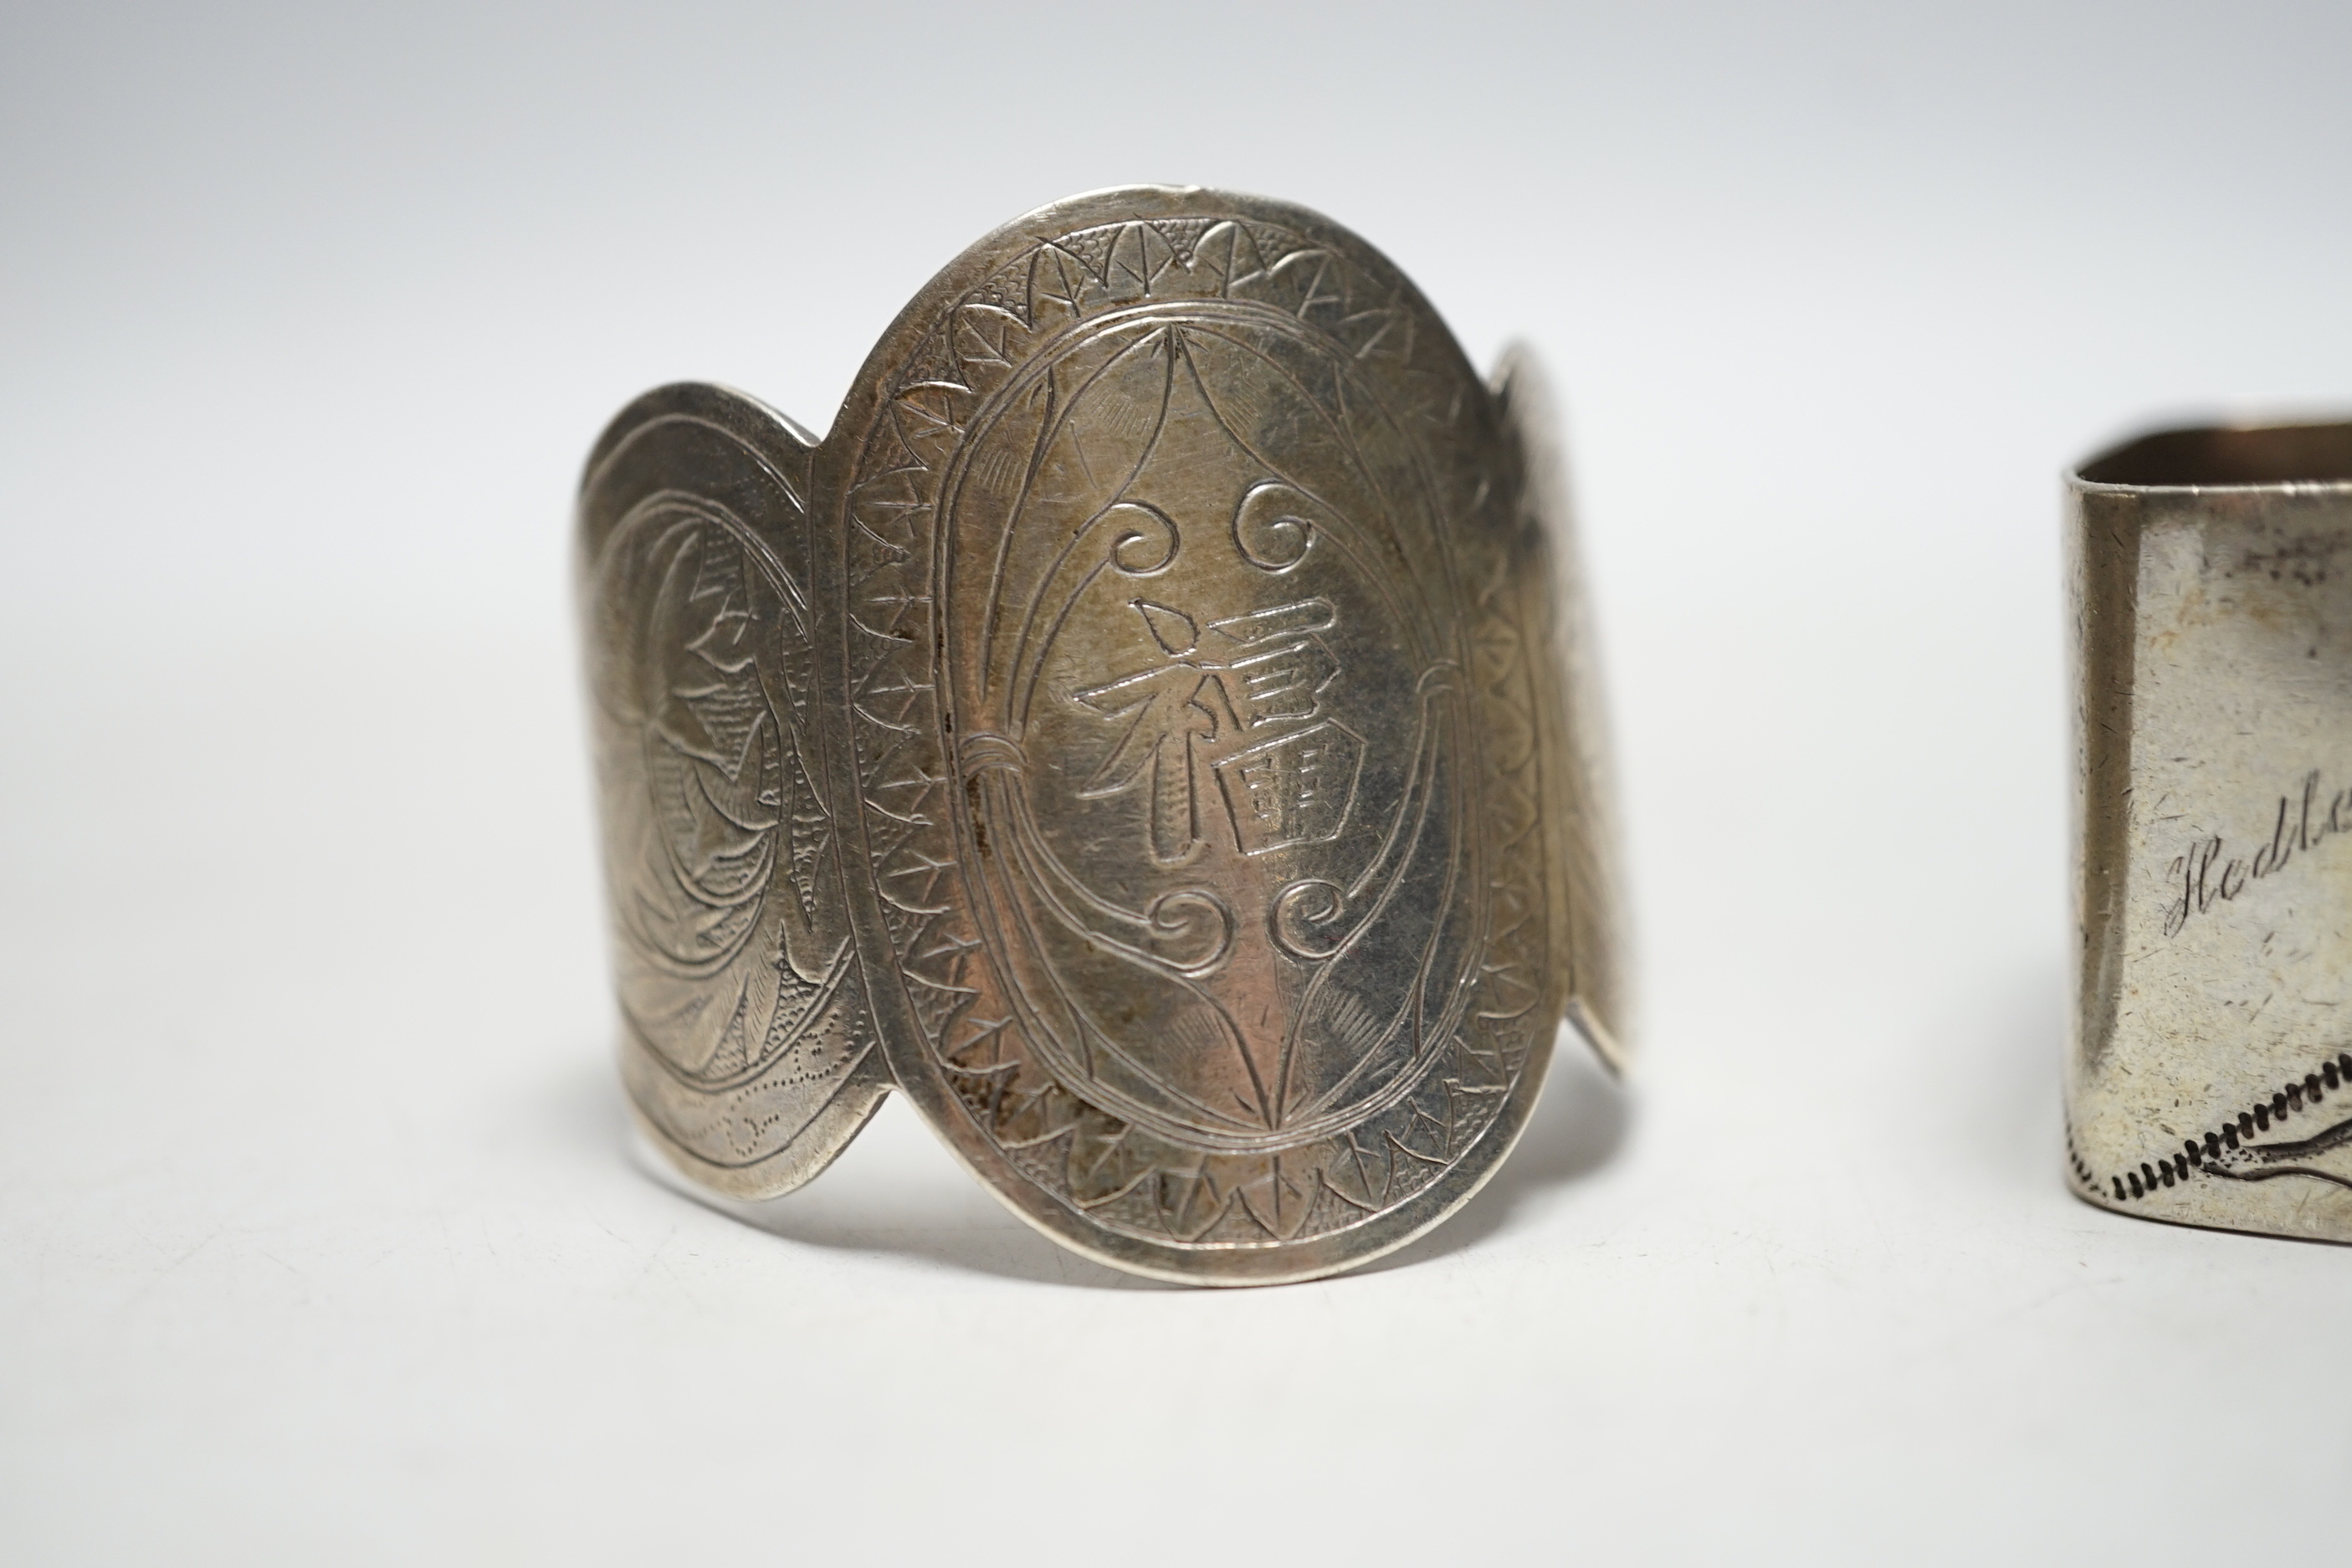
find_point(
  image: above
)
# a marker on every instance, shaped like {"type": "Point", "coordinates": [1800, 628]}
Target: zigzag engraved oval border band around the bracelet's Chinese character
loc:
{"type": "Point", "coordinates": [1102, 1167]}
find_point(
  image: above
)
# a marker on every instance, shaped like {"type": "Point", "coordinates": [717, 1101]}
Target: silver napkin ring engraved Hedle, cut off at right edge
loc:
{"type": "Point", "coordinates": [2212, 1068]}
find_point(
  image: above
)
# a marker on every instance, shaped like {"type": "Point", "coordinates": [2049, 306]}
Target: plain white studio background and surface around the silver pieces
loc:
{"type": "Point", "coordinates": [321, 1238]}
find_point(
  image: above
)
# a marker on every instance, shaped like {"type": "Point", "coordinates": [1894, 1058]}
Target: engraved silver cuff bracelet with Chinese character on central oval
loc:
{"type": "Point", "coordinates": [1208, 721]}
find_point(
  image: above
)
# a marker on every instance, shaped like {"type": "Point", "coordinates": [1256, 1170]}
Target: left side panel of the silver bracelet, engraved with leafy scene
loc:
{"type": "Point", "coordinates": [747, 1045]}
